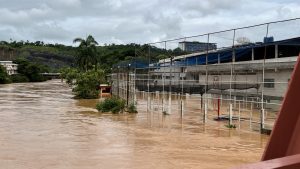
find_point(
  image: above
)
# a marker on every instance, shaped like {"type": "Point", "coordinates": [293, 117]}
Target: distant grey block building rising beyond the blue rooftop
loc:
{"type": "Point", "coordinates": [196, 46]}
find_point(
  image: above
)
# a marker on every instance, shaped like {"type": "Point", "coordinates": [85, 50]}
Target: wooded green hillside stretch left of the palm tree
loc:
{"type": "Point", "coordinates": [55, 56]}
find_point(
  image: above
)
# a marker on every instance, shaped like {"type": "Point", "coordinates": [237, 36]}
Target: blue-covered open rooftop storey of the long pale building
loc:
{"type": "Point", "coordinates": [247, 52]}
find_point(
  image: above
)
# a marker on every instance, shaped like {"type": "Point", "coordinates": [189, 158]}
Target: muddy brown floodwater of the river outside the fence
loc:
{"type": "Point", "coordinates": [42, 127]}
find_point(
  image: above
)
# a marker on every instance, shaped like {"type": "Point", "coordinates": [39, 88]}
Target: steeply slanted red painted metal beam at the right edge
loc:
{"type": "Point", "coordinates": [285, 137]}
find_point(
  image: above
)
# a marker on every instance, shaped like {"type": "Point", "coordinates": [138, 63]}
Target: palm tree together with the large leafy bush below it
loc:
{"type": "Point", "coordinates": [86, 78]}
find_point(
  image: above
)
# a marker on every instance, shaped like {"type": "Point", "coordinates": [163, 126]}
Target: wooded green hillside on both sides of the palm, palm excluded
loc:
{"type": "Point", "coordinates": [56, 56]}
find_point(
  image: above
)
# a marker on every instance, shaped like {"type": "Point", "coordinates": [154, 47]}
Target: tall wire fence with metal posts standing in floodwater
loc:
{"type": "Point", "coordinates": [238, 75]}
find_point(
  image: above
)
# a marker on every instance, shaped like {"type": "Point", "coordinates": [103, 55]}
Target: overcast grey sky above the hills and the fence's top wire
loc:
{"type": "Point", "coordinates": [133, 21]}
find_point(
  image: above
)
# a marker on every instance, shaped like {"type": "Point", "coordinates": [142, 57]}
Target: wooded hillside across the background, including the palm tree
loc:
{"type": "Point", "coordinates": [57, 56]}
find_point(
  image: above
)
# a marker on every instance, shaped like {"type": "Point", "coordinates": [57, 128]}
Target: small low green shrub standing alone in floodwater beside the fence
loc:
{"type": "Point", "coordinates": [113, 104]}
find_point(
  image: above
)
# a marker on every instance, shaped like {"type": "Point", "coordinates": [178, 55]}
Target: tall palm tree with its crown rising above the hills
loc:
{"type": "Point", "coordinates": [86, 52]}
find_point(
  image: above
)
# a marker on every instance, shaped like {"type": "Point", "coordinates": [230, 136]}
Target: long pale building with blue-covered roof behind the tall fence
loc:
{"type": "Point", "coordinates": [252, 71]}
